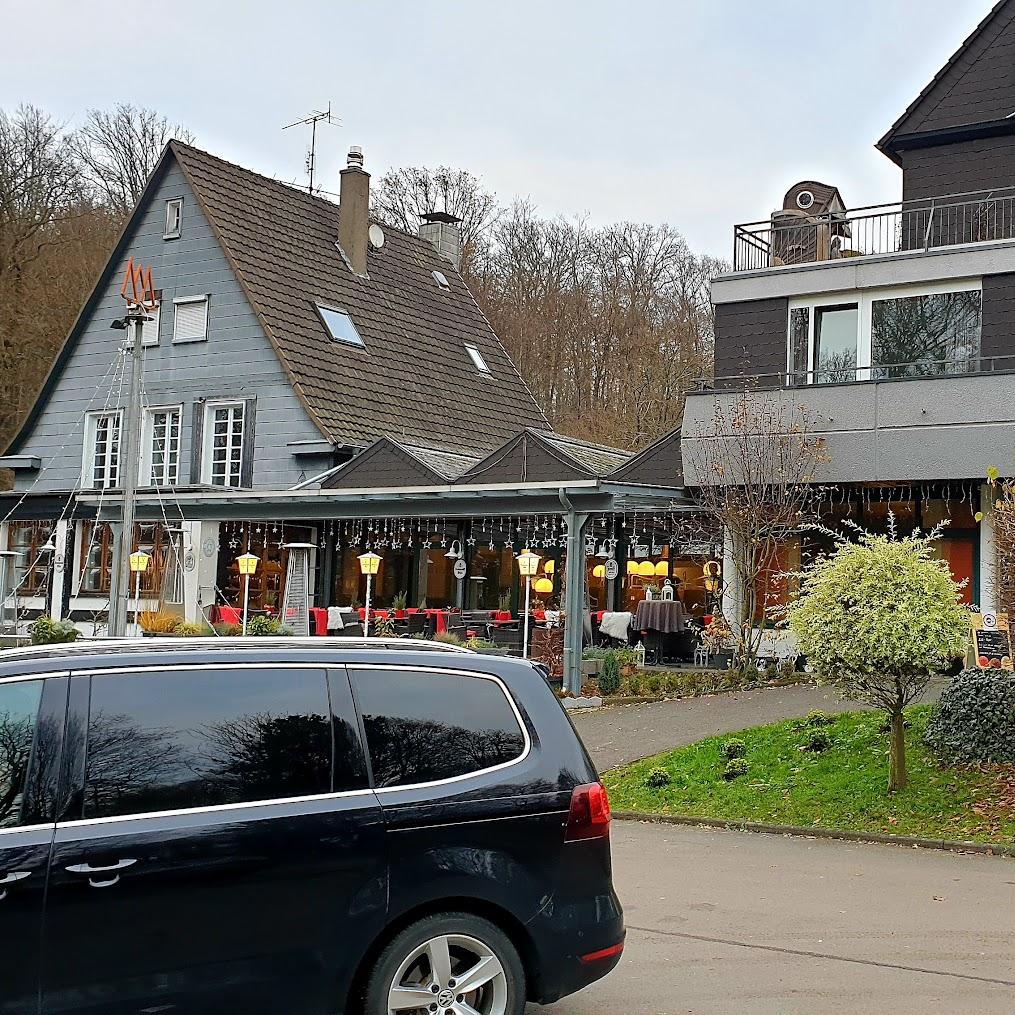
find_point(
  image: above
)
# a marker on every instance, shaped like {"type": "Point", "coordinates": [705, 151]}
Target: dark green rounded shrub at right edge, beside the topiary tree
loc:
{"type": "Point", "coordinates": [975, 720]}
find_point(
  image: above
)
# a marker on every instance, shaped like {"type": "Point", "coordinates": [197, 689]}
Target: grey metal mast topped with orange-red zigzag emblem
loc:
{"type": "Point", "coordinates": [140, 295]}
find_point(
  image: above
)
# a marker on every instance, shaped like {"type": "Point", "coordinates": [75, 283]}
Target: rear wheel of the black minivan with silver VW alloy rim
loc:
{"type": "Point", "coordinates": [462, 950]}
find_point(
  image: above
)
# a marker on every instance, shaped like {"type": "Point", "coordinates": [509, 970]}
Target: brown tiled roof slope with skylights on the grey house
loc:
{"type": "Point", "coordinates": [414, 380]}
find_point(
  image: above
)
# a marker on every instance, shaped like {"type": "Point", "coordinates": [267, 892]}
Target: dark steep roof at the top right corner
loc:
{"type": "Point", "coordinates": [977, 87]}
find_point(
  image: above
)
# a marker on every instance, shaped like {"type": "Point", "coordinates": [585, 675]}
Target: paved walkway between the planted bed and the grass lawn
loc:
{"type": "Point", "coordinates": [620, 734]}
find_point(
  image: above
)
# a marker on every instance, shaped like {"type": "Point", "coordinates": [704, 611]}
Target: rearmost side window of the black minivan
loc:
{"type": "Point", "coordinates": [425, 727]}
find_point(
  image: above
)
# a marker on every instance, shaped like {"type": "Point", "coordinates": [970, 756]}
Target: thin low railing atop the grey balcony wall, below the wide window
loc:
{"type": "Point", "coordinates": [924, 370]}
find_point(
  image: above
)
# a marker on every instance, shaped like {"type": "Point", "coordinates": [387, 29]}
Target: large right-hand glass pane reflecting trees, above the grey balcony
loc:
{"type": "Point", "coordinates": [919, 336]}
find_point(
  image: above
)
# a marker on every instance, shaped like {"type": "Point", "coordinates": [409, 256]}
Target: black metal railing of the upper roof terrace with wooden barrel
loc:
{"type": "Point", "coordinates": [791, 238]}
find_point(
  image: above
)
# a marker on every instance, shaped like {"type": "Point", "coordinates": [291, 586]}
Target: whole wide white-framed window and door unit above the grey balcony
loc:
{"type": "Point", "coordinates": [905, 331]}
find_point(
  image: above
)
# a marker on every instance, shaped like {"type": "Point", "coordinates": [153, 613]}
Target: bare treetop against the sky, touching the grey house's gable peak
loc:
{"type": "Point", "coordinates": [119, 150]}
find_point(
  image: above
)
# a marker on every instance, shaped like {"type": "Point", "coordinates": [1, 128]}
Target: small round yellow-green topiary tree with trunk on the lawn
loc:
{"type": "Point", "coordinates": [878, 619]}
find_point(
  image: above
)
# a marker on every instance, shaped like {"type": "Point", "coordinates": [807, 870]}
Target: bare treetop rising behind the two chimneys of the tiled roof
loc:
{"type": "Point", "coordinates": [403, 196]}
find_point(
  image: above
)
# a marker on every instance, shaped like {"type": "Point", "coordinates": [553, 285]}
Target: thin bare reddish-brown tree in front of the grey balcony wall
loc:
{"type": "Point", "coordinates": [755, 467]}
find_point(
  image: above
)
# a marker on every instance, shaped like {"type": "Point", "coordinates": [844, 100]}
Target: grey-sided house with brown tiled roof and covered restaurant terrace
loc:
{"type": "Point", "coordinates": [309, 379]}
